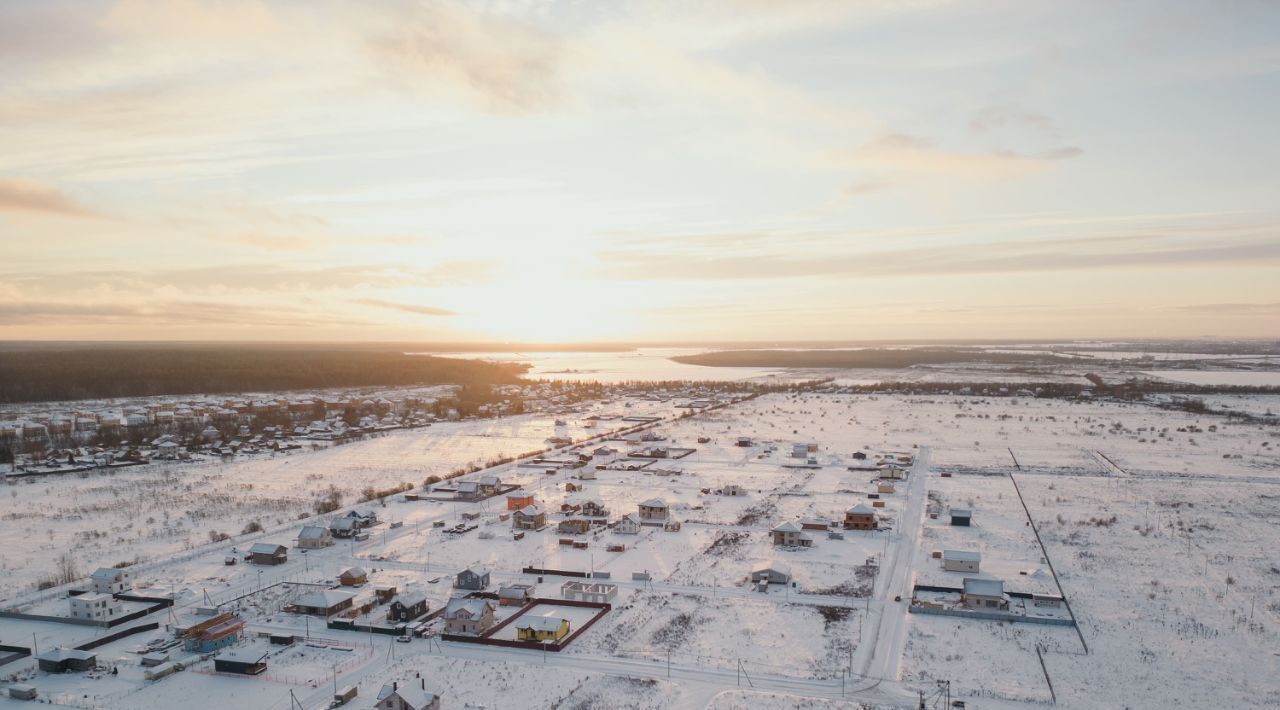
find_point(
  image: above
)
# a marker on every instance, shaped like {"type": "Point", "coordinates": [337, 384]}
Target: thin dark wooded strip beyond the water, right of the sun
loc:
{"type": "Point", "coordinates": [871, 359]}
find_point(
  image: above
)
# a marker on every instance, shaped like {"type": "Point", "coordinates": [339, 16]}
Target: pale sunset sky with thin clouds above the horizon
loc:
{"type": "Point", "coordinates": [639, 171]}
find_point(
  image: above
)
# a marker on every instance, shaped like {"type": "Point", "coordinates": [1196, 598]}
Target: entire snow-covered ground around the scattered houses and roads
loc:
{"type": "Point", "coordinates": [1165, 549]}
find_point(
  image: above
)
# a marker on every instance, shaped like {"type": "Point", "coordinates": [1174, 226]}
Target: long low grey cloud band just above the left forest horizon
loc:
{"type": "Point", "coordinates": [167, 315]}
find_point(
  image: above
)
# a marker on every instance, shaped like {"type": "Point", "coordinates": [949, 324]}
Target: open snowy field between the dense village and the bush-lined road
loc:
{"type": "Point", "coordinates": [143, 514]}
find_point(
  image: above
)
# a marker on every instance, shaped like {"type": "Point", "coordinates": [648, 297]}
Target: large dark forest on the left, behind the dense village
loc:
{"type": "Point", "coordinates": [94, 373]}
